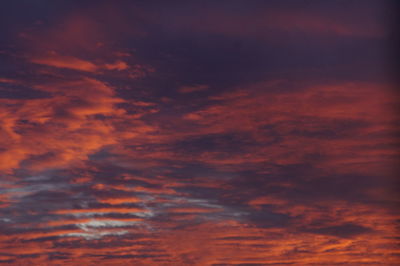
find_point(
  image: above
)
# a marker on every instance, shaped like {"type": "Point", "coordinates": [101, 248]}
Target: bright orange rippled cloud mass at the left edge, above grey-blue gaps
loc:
{"type": "Point", "coordinates": [64, 128]}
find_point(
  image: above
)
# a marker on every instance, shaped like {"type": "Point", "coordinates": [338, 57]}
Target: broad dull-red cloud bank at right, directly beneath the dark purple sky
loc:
{"type": "Point", "coordinates": [303, 120]}
